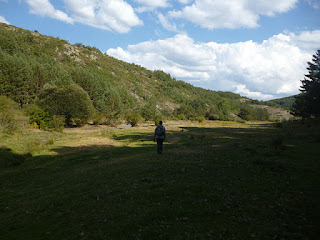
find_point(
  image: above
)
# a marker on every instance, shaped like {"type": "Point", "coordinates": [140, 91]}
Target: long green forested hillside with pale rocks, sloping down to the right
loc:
{"type": "Point", "coordinates": [48, 71]}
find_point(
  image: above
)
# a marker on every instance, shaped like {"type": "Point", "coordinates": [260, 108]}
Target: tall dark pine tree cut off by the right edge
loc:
{"type": "Point", "coordinates": [308, 102]}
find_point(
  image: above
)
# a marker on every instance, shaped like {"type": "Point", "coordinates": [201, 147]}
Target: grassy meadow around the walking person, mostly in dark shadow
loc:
{"type": "Point", "coordinates": [213, 181]}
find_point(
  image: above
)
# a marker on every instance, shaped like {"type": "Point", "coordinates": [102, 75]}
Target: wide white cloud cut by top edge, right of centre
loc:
{"type": "Point", "coordinates": [213, 14]}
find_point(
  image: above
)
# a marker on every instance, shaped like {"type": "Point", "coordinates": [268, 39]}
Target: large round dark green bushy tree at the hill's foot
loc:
{"type": "Point", "coordinates": [70, 101]}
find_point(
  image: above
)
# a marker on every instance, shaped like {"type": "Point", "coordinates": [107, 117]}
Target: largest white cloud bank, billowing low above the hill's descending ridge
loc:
{"type": "Point", "coordinates": [264, 70]}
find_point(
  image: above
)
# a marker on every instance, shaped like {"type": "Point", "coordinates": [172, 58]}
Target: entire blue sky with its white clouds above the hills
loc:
{"type": "Point", "coordinates": [257, 48]}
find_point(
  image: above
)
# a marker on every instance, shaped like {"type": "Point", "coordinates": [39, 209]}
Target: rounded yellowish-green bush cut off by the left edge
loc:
{"type": "Point", "coordinates": [11, 118]}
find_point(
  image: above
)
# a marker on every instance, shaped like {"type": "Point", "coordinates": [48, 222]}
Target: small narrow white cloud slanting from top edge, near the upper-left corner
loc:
{"type": "Point", "coordinates": [45, 8]}
